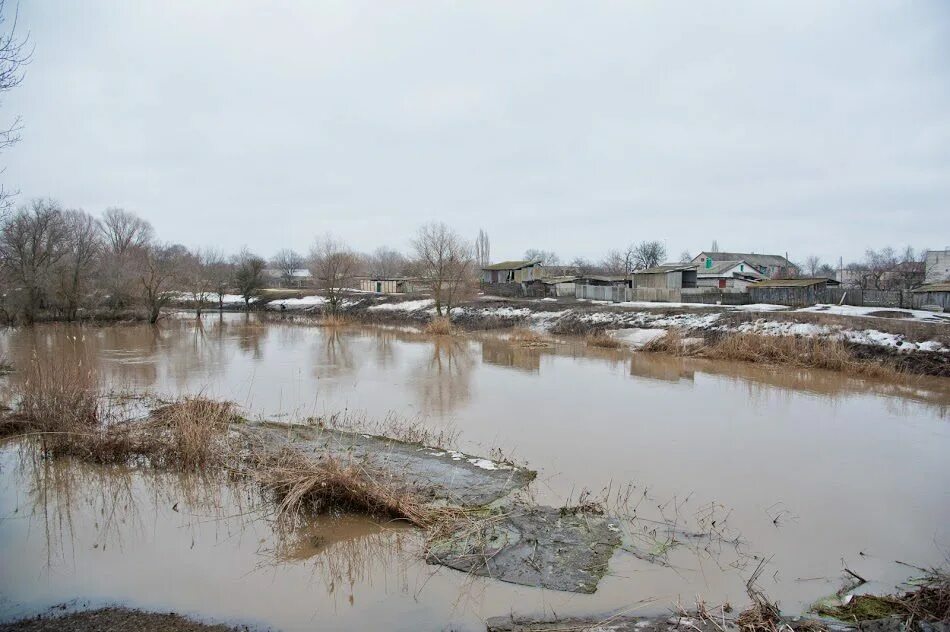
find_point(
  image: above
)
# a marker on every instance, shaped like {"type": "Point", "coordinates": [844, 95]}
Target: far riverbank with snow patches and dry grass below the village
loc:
{"type": "Point", "coordinates": [881, 343]}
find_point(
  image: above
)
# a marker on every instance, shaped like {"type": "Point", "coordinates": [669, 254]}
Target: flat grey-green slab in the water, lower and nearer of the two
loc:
{"type": "Point", "coordinates": [536, 546]}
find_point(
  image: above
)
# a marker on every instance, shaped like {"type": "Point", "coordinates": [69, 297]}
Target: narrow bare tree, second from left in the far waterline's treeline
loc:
{"type": "Point", "coordinates": [76, 270]}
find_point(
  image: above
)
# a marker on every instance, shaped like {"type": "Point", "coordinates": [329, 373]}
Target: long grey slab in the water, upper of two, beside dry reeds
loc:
{"type": "Point", "coordinates": [443, 475]}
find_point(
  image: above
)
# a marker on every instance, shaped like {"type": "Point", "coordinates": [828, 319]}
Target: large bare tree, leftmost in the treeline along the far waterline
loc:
{"type": "Point", "coordinates": [32, 243]}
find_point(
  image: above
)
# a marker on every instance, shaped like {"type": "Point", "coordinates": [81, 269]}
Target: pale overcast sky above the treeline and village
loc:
{"type": "Point", "coordinates": [807, 127]}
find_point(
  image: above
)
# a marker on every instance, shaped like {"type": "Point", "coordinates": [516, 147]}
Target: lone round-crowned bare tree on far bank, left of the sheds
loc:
{"type": "Point", "coordinates": [445, 260]}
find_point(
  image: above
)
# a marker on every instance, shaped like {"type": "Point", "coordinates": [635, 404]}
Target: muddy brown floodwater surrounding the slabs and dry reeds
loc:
{"type": "Point", "coordinates": [813, 470]}
